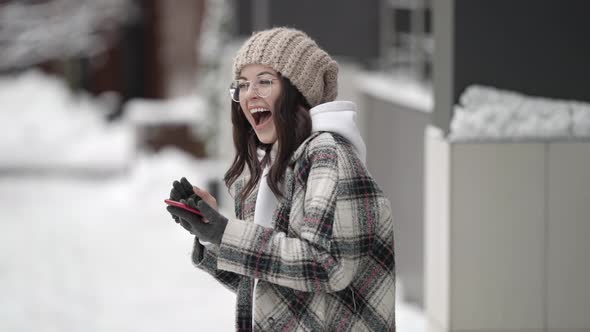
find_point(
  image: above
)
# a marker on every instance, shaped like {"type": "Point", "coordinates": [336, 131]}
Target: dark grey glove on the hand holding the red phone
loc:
{"type": "Point", "coordinates": [212, 231]}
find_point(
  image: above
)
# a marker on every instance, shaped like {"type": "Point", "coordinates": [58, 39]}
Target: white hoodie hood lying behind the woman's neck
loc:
{"type": "Point", "coordinates": [339, 117]}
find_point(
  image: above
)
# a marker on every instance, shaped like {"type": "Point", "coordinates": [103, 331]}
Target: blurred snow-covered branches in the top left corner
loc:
{"type": "Point", "coordinates": [32, 33]}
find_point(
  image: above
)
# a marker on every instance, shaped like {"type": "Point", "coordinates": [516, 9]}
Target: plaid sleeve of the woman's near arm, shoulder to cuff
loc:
{"type": "Point", "coordinates": [313, 261]}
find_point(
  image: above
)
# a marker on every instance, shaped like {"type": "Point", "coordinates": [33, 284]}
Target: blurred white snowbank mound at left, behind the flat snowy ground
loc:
{"type": "Point", "coordinates": [45, 125]}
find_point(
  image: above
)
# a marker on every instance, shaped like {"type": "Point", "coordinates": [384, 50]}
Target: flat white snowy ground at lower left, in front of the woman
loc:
{"type": "Point", "coordinates": [104, 255]}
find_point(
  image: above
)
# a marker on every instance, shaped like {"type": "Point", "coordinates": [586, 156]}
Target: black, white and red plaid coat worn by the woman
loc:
{"type": "Point", "coordinates": [328, 263]}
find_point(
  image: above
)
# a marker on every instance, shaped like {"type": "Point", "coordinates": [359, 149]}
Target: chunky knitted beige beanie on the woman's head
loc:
{"type": "Point", "coordinates": [296, 56]}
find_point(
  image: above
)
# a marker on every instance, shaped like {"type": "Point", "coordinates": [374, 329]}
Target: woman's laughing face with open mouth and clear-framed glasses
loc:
{"type": "Point", "coordinates": [259, 110]}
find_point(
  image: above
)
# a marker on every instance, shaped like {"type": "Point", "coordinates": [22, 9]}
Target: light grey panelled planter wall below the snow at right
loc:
{"type": "Point", "coordinates": [506, 228]}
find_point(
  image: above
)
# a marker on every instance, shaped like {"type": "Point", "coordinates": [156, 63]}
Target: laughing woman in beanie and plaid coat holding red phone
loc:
{"type": "Point", "coordinates": [311, 247]}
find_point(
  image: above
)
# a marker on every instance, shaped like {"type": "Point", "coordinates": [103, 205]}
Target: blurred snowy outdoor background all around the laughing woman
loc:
{"type": "Point", "coordinates": [476, 115]}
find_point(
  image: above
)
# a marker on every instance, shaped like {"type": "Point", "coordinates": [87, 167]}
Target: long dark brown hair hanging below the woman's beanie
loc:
{"type": "Point", "coordinates": [293, 125]}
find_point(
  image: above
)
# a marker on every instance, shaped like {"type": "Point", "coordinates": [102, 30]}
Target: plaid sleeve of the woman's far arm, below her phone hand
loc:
{"type": "Point", "coordinates": [206, 260]}
